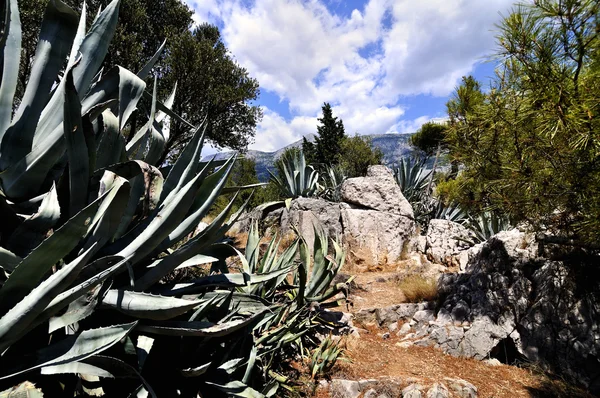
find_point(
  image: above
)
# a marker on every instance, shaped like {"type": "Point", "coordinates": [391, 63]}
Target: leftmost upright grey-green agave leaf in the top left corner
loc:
{"type": "Point", "coordinates": [11, 57]}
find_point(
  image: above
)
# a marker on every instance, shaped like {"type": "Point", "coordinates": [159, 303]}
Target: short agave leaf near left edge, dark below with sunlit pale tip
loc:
{"type": "Point", "coordinates": [34, 229]}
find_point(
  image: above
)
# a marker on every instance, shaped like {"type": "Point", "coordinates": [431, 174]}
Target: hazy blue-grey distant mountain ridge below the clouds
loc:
{"type": "Point", "coordinates": [393, 146]}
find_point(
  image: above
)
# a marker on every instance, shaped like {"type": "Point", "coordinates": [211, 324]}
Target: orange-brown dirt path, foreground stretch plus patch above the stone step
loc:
{"type": "Point", "coordinates": [372, 356]}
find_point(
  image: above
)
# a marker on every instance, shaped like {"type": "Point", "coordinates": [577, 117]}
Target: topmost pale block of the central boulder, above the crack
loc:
{"type": "Point", "coordinates": [377, 191]}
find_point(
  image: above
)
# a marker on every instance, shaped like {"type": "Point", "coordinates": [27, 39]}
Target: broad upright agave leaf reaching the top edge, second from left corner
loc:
{"type": "Point", "coordinates": [56, 35]}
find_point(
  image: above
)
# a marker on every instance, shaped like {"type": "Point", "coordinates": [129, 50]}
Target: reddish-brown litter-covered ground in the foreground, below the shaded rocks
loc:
{"type": "Point", "coordinates": [373, 357]}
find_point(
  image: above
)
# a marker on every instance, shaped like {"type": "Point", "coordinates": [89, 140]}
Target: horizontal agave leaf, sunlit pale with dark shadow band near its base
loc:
{"type": "Point", "coordinates": [146, 306]}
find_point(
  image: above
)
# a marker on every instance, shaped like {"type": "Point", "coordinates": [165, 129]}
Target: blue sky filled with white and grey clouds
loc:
{"type": "Point", "coordinates": [386, 66]}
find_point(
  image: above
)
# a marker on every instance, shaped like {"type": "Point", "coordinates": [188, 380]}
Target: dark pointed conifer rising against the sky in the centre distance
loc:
{"type": "Point", "coordinates": [328, 142]}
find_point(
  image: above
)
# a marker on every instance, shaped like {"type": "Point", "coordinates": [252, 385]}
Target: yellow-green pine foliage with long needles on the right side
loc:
{"type": "Point", "coordinates": [531, 145]}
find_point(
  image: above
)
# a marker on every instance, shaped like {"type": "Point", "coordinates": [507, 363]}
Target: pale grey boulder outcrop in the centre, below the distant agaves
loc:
{"type": "Point", "coordinates": [374, 220]}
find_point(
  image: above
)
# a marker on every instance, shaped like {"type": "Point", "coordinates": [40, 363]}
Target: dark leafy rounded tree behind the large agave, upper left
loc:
{"type": "Point", "coordinates": [210, 82]}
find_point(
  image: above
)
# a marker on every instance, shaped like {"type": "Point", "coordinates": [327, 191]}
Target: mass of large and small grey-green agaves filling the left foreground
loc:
{"type": "Point", "coordinates": [90, 229]}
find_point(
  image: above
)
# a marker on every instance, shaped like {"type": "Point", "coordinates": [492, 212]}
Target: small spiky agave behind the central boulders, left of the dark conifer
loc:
{"type": "Point", "coordinates": [298, 179]}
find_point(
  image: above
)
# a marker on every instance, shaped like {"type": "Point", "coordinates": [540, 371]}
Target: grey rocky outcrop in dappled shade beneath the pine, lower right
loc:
{"type": "Point", "coordinates": [510, 304]}
